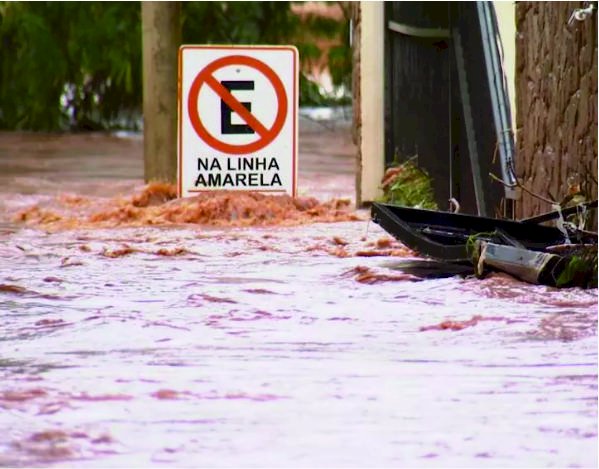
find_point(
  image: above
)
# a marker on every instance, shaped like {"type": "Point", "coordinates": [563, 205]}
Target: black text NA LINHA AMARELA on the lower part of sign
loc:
{"type": "Point", "coordinates": [238, 172]}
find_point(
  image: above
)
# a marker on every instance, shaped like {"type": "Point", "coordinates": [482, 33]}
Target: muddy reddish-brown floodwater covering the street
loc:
{"type": "Point", "coordinates": [139, 338]}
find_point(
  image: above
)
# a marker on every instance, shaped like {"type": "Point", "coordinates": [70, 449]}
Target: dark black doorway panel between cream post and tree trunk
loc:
{"type": "Point", "coordinates": [434, 71]}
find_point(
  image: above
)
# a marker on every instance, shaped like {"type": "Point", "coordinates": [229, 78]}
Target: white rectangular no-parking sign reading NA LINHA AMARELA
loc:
{"type": "Point", "coordinates": [237, 119]}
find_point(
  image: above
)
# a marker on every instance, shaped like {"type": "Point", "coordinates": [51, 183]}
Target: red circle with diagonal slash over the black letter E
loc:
{"type": "Point", "coordinates": [206, 77]}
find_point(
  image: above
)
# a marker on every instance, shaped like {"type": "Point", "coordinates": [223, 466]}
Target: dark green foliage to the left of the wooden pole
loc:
{"type": "Point", "coordinates": [87, 53]}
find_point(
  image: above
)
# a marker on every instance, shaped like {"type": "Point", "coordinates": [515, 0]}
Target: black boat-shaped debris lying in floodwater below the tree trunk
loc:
{"type": "Point", "coordinates": [522, 248]}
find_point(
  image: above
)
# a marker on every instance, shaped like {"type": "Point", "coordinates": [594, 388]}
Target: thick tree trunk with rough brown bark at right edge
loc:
{"type": "Point", "coordinates": [556, 94]}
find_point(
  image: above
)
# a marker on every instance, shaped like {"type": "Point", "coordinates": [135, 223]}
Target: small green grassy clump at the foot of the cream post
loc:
{"type": "Point", "coordinates": [408, 185]}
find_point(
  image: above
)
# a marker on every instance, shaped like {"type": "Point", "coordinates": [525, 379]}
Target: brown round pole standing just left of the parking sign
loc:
{"type": "Point", "coordinates": [161, 37]}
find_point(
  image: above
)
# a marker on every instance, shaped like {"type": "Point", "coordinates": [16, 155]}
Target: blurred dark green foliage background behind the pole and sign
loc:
{"type": "Point", "coordinates": [77, 65]}
